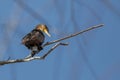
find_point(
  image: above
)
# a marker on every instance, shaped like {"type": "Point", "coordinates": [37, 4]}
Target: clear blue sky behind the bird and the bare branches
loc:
{"type": "Point", "coordinates": [94, 55]}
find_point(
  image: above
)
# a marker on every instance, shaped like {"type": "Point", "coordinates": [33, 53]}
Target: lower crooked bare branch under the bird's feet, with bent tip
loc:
{"type": "Point", "coordinates": [32, 58]}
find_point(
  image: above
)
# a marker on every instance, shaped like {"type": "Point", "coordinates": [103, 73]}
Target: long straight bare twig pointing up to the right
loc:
{"type": "Point", "coordinates": [73, 35]}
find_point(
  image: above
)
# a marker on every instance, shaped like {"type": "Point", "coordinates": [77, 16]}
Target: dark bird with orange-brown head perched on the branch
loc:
{"type": "Point", "coordinates": [35, 39]}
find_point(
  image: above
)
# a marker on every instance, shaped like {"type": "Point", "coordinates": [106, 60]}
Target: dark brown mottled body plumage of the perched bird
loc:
{"type": "Point", "coordinates": [34, 38]}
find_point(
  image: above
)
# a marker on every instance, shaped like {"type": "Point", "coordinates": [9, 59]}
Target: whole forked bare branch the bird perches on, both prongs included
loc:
{"type": "Point", "coordinates": [49, 43]}
